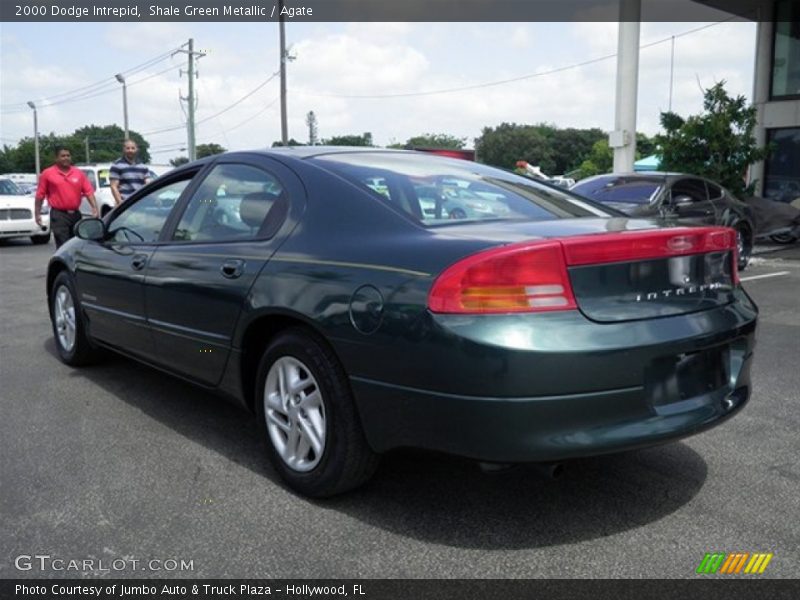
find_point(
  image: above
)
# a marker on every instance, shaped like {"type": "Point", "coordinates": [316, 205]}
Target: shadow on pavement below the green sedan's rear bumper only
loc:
{"type": "Point", "coordinates": [452, 502]}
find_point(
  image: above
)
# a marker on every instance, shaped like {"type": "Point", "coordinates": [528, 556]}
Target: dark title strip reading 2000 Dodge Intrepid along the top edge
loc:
{"type": "Point", "coordinates": [379, 10]}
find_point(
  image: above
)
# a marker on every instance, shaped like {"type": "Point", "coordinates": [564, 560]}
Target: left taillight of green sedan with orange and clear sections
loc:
{"type": "Point", "coordinates": [530, 277]}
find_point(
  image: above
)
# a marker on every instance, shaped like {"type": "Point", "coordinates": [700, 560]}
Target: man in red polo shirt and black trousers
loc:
{"type": "Point", "coordinates": [63, 185]}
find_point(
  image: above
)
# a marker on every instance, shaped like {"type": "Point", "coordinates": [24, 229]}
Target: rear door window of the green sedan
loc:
{"type": "Point", "coordinates": [235, 202]}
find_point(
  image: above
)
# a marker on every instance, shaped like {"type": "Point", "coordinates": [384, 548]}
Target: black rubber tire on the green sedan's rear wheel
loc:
{"type": "Point", "coordinates": [346, 460]}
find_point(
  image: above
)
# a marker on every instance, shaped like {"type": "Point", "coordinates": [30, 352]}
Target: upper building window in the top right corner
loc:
{"type": "Point", "coordinates": [786, 52]}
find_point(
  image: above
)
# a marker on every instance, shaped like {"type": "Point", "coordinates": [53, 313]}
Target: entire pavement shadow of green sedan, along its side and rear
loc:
{"type": "Point", "coordinates": [436, 498]}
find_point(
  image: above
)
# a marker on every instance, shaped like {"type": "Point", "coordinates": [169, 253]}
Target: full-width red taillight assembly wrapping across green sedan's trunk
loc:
{"type": "Point", "coordinates": [532, 276]}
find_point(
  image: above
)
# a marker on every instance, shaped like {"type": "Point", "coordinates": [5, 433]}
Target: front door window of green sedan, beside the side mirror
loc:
{"type": "Point", "coordinates": [144, 220]}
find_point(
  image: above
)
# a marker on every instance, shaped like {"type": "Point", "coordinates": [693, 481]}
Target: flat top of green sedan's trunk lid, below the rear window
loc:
{"type": "Point", "coordinates": [504, 231]}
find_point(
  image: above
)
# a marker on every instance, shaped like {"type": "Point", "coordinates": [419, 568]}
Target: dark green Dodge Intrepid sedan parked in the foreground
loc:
{"type": "Point", "coordinates": [315, 287]}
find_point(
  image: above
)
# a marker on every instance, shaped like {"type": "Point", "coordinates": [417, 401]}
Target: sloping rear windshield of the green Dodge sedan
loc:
{"type": "Point", "coordinates": [436, 191]}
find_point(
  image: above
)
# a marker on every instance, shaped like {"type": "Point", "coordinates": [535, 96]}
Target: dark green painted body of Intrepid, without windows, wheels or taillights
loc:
{"type": "Point", "coordinates": [615, 374]}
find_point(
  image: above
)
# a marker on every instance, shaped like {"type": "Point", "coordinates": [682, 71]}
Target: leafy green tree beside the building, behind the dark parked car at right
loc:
{"type": "Point", "coordinates": [717, 144]}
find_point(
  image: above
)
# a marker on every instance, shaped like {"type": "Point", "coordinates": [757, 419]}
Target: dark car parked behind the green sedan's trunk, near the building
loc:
{"type": "Point", "coordinates": [686, 199]}
